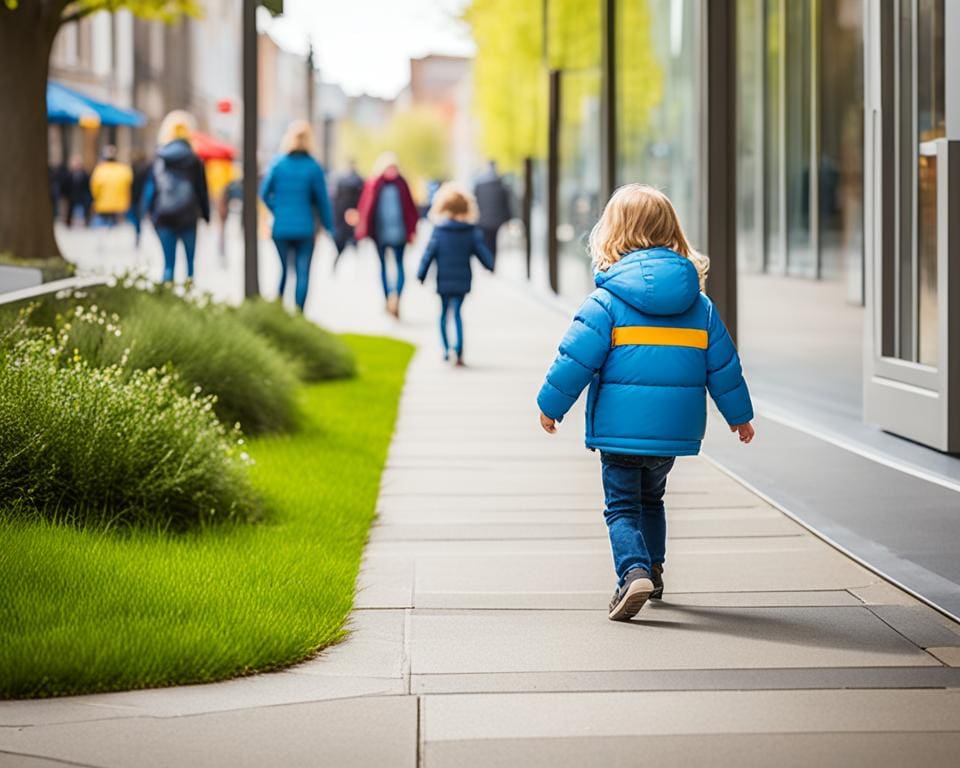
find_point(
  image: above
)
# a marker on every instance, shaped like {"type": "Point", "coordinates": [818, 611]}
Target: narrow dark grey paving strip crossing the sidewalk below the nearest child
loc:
{"type": "Point", "coordinates": [819, 678]}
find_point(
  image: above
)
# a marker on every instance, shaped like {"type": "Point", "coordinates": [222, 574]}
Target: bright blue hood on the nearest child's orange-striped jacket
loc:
{"type": "Point", "coordinates": [657, 281]}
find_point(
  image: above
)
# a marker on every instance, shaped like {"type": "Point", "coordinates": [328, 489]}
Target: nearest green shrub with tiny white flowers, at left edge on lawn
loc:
{"type": "Point", "coordinates": [85, 444]}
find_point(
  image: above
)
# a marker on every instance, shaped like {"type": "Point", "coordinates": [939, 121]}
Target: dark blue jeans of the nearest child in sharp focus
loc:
{"type": "Point", "coordinates": [634, 487]}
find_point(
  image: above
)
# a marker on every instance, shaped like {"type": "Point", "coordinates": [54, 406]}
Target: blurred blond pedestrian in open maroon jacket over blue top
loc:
{"type": "Point", "coordinates": [388, 215]}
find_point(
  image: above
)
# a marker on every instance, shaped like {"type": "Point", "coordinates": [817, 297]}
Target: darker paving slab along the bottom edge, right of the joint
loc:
{"type": "Point", "coordinates": [852, 750]}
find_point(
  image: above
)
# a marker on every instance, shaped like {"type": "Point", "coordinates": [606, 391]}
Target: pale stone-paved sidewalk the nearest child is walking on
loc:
{"type": "Point", "coordinates": [480, 636]}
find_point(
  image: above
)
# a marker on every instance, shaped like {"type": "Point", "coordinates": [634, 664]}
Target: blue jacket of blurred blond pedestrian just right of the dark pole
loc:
{"type": "Point", "coordinates": [294, 188]}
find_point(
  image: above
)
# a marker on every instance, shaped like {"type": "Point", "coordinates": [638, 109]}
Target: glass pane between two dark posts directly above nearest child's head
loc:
{"type": "Point", "coordinates": [658, 101]}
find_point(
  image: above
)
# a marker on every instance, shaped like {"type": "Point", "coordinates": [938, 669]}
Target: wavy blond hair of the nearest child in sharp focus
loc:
{"type": "Point", "coordinates": [636, 217]}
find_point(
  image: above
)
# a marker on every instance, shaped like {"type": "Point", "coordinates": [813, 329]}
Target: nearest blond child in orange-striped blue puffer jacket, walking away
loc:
{"type": "Point", "coordinates": [650, 345]}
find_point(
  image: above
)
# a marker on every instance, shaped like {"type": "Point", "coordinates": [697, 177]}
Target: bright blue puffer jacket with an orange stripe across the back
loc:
{"type": "Point", "coordinates": [649, 344]}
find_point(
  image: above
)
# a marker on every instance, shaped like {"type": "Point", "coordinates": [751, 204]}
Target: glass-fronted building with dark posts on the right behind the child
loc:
{"type": "Point", "coordinates": [810, 149]}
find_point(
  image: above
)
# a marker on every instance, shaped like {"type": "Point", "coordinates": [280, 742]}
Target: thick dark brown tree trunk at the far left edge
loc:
{"type": "Point", "coordinates": [26, 213]}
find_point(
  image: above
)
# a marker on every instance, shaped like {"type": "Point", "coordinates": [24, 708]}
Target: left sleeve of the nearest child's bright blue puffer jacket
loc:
{"type": "Point", "coordinates": [583, 350]}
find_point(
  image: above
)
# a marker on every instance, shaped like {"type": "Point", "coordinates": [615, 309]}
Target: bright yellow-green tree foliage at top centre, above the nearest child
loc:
{"type": "Point", "coordinates": [513, 61]}
